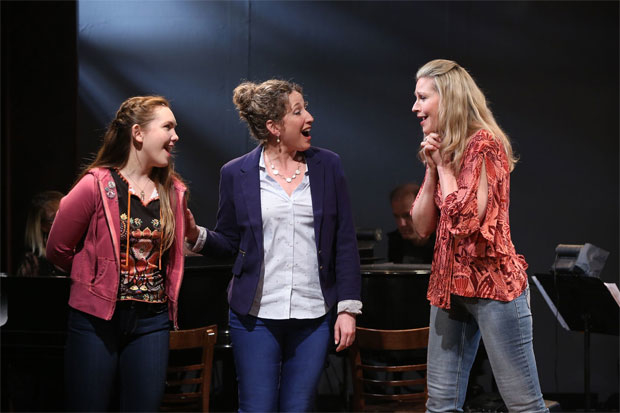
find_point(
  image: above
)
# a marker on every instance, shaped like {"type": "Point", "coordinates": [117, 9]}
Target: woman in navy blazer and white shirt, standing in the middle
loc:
{"type": "Point", "coordinates": [285, 213]}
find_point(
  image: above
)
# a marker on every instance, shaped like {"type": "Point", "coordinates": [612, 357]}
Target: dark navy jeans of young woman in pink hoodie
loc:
{"type": "Point", "coordinates": [127, 355]}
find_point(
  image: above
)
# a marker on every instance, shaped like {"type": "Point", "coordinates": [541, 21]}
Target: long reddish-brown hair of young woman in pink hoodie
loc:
{"type": "Point", "coordinates": [114, 153]}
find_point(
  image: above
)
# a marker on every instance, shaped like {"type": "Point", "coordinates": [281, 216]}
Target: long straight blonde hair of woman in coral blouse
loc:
{"type": "Point", "coordinates": [463, 110]}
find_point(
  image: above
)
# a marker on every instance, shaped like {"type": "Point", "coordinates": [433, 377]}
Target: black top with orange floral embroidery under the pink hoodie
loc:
{"type": "Point", "coordinates": [142, 272]}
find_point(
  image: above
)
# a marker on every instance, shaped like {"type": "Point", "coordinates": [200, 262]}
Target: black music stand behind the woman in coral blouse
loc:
{"type": "Point", "coordinates": [581, 303]}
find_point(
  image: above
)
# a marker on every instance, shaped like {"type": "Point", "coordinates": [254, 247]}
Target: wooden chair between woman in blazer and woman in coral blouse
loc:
{"type": "Point", "coordinates": [407, 395]}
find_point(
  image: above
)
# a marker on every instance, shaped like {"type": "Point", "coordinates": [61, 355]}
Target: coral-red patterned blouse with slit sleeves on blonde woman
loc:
{"type": "Point", "coordinates": [473, 258]}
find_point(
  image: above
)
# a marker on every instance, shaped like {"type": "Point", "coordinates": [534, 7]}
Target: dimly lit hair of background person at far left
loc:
{"type": "Point", "coordinates": [34, 238]}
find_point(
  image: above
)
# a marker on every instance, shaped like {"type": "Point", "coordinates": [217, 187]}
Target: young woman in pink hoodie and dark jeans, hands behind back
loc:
{"type": "Point", "coordinates": [120, 233]}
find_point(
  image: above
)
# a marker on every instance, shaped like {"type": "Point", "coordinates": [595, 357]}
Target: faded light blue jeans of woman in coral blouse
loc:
{"type": "Point", "coordinates": [506, 328]}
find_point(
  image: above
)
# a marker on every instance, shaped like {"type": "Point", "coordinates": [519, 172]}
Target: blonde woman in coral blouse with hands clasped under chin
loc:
{"type": "Point", "coordinates": [478, 286]}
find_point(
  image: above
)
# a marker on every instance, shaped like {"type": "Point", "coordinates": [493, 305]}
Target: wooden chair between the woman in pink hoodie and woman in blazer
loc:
{"type": "Point", "coordinates": [188, 379]}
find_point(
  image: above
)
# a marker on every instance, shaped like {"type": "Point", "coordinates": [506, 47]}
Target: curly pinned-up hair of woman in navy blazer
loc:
{"type": "Point", "coordinates": [258, 103]}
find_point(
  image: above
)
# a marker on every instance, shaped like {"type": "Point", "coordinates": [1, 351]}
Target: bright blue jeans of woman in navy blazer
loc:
{"type": "Point", "coordinates": [279, 362]}
